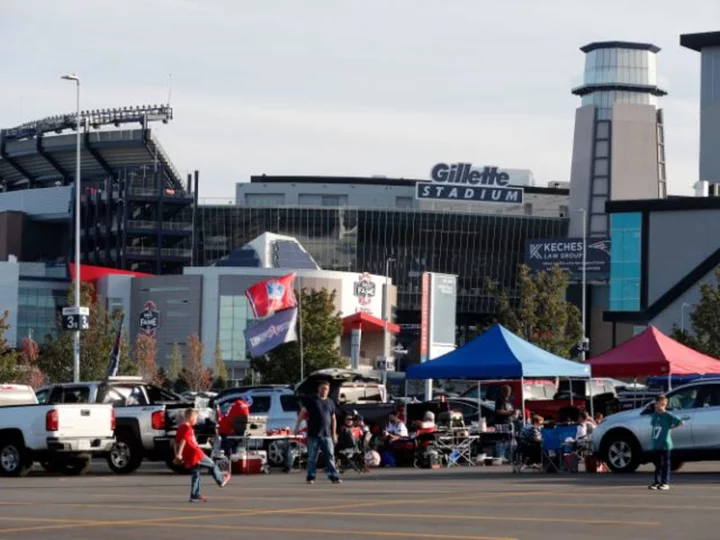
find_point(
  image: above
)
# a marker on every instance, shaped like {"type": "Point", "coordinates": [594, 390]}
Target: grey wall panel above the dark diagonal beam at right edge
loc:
{"type": "Point", "coordinates": [678, 242]}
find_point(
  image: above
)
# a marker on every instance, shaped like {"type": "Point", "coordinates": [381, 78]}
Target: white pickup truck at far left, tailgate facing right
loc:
{"type": "Point", "coordinates": [63, 438]}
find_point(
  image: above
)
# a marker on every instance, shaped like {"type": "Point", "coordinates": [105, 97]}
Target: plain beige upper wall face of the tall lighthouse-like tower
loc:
{"type": "Point", "coordinates": [634, 152]}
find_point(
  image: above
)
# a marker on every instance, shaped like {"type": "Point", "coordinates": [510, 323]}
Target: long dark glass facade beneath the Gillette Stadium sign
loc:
{"type": "Point", "coordinates": [475, 247]}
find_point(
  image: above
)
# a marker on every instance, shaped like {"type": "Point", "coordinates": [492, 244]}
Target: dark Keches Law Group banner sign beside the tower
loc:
{"type": "Point", "coordinates": [567, 253]}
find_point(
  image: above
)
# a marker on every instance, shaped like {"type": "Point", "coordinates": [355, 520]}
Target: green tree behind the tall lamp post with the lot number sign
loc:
{"type": "Point", "coordinates": [96, 344]}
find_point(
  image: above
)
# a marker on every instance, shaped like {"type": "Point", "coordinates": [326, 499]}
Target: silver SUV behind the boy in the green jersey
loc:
{"type": "Point", "coordinates": [623, 439]}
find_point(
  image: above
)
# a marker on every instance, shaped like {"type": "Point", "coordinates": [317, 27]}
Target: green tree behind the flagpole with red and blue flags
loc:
{"type": "Point", "coordinates": [321, 330]}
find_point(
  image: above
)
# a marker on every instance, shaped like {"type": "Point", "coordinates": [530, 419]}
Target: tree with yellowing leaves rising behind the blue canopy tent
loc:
{"type": "Point", "coordinates": [539, 313]}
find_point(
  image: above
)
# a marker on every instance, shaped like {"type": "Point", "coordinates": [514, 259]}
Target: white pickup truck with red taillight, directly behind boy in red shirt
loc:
{"type": "Point", "coordinates": [147, 418]}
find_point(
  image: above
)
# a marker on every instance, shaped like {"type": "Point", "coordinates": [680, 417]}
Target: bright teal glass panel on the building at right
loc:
{"type": "Point", "coordinates": [625, 261]}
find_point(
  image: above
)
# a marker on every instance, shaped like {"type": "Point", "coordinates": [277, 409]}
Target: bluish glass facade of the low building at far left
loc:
{"type": "Point", "coordinates": [38, 309]}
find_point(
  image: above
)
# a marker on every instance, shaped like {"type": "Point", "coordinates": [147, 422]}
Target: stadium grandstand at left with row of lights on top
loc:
{"type": "Point", "coordinates": [136, 210]}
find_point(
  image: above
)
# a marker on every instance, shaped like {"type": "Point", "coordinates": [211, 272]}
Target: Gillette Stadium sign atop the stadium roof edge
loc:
{"type": "Point", "coordinates": [461, 182]}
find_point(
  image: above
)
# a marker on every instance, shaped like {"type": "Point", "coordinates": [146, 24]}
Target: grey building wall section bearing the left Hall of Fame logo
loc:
{"type": "Point", "coordinates": [179, 303]}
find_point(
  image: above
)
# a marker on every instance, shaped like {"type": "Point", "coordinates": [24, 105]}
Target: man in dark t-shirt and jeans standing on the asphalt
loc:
{"type": "Point", "coordinates": [319, 412]}
